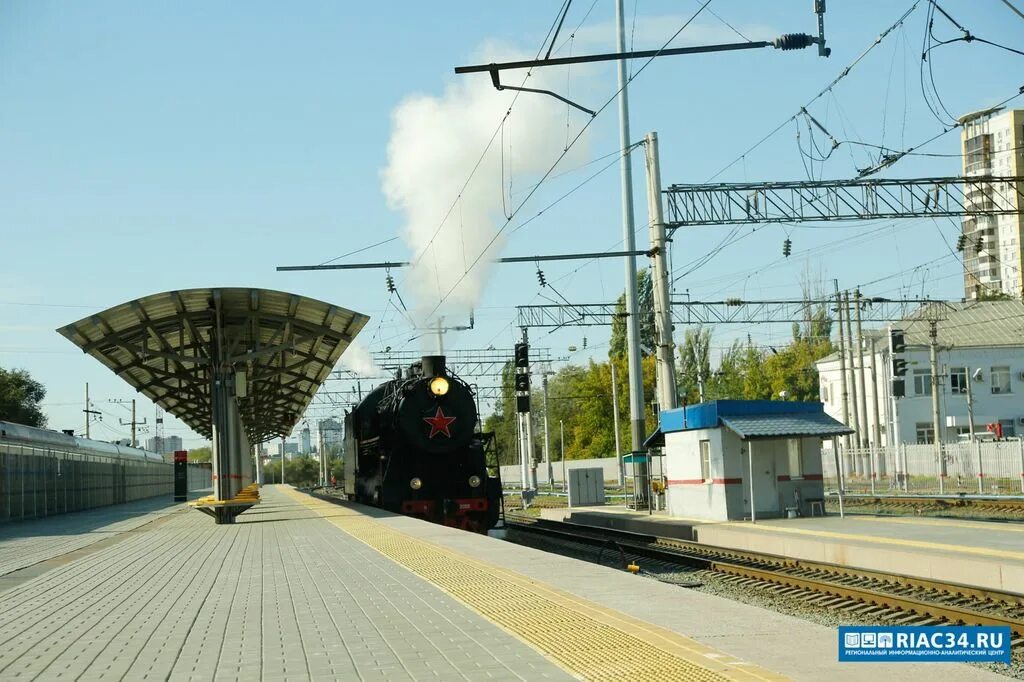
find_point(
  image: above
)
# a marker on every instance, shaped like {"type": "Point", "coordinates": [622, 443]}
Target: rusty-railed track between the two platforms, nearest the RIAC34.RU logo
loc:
{"type": "Point", "coordinates": [887, 599]}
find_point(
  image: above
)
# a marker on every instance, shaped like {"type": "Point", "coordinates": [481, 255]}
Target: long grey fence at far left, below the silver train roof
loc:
{"type": "Point", "coordinates": [42, 482]}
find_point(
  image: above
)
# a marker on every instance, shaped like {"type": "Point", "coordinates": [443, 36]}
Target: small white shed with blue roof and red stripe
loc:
{"type": "Point", "coordinates": [720, 456]}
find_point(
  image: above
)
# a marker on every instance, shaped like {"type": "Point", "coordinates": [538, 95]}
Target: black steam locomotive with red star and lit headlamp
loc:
{"type": "Point", "coordinates": [413, 448]}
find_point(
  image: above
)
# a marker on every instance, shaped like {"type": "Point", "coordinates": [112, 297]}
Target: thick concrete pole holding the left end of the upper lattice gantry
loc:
{"type": "Point", "coordinates": [666, 349]}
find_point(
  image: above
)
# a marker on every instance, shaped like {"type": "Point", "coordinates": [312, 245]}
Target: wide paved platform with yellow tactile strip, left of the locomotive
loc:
{"type": "Point", "coordinates": [305, 589]}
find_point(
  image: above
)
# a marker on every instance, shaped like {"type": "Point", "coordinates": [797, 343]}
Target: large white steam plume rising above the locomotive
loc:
{"type": "Point", "coordinates": [436, 144]}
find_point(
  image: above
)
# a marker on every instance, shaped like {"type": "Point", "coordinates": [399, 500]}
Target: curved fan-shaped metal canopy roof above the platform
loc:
{"type": "Point", "coordinates": [170, 348]}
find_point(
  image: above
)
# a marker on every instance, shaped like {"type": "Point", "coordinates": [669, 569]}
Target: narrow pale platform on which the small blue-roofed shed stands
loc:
{"type": "Point", "coordinates": [980, 555]}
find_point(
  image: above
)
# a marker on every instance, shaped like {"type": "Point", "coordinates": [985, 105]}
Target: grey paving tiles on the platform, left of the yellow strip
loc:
{"type": "Point", "coordinates": [282, 594]}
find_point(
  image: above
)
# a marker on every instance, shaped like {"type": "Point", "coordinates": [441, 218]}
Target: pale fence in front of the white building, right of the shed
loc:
{"type": "Point", "coordinates": [979, 468]}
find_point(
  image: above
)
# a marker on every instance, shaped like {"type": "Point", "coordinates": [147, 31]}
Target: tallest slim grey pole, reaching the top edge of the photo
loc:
{"type": "Point", "coordinates": [629, 244]}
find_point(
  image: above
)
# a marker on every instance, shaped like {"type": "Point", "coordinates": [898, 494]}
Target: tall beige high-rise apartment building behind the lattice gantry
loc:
{"type": "Point", "coordinates": [994, 259]}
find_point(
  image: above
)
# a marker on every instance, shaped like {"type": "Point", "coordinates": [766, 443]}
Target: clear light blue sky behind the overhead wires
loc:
{"type": "Point", "coordinates": [149, 147]}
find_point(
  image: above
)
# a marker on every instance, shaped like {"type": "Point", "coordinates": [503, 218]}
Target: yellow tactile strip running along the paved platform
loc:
{"type": "Point", "coordinates": [587, 640]}
